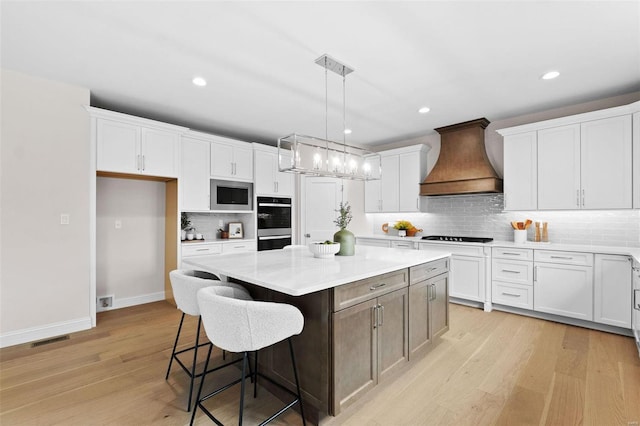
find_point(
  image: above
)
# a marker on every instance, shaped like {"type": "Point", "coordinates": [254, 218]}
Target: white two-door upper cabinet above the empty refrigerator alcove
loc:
{"type": "Point", "coordinates": [132, 145]}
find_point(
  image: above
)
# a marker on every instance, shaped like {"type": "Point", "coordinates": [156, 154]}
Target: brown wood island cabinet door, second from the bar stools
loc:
{"type": "Point", "coordinates": [393, 341]}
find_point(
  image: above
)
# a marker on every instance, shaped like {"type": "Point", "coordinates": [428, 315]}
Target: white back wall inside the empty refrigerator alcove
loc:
{"type": "Point", "coordinates": [129, 260]}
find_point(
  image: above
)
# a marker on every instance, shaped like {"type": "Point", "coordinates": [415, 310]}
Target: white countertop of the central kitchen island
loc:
{"type": "Point", "coordinates": [296, 272]}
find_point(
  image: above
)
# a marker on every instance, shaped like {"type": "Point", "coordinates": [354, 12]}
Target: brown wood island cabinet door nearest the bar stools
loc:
{"type": "Point", "coordinates": [355, 361]}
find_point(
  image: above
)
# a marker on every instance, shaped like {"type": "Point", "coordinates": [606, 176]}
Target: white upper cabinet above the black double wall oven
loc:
{"type": "Point", "coordinates": [269, 180]}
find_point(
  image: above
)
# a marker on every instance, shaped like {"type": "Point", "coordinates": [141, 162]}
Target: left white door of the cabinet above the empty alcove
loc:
{"type": "Point", "coordinates": [118, 147]}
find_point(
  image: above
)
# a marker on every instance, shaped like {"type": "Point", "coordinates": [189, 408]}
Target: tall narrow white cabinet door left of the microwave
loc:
{"type": "Point", "coordinates": [194, 179]}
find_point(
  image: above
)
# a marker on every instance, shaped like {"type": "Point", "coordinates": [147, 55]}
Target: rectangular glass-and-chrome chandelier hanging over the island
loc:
{"type": "Point", "coordinates": [323, 157]}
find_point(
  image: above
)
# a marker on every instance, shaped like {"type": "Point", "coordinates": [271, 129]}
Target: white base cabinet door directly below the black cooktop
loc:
{"type": "Point", "coordinates": [466, 278]}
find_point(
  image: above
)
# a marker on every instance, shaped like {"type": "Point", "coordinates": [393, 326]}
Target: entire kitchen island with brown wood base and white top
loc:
{"type": "Point", "coordinates": [367, 316]}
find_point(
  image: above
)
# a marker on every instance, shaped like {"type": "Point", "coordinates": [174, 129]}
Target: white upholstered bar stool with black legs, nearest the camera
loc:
{"type": "Point", "coordinates": [247, 326]}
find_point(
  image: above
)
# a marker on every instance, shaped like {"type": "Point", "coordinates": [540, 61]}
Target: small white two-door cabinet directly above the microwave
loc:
{"type": "Point", "coordinates": [232, 160]}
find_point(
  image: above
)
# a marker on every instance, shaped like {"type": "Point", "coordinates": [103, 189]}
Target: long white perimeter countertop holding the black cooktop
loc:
{"type": "Point", "coordinates": [625, 251]}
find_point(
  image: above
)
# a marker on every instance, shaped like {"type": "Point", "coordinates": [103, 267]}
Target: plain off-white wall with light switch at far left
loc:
{"type": "Point", "coordinates": [44, 157]}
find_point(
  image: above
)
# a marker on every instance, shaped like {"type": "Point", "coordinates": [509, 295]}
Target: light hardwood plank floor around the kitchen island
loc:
{"type": "Point", "coordinates": [490, 368]}
